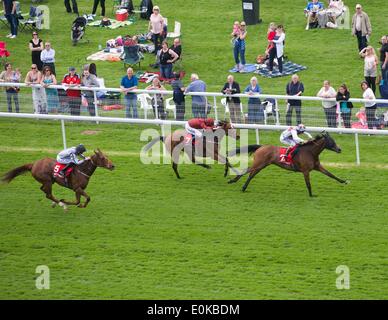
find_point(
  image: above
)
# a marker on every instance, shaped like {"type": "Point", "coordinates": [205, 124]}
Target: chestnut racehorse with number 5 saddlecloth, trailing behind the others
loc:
{"type": "Point", "coordinates": [42, 170]}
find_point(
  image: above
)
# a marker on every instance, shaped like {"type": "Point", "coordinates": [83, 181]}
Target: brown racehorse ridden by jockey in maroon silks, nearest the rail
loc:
{"type": "Point", "coordinates": [205, 147]}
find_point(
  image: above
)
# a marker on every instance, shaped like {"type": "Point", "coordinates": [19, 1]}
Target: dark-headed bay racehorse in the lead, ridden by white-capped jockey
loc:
{"type": "Point", "coordinates": [305, 160]}
